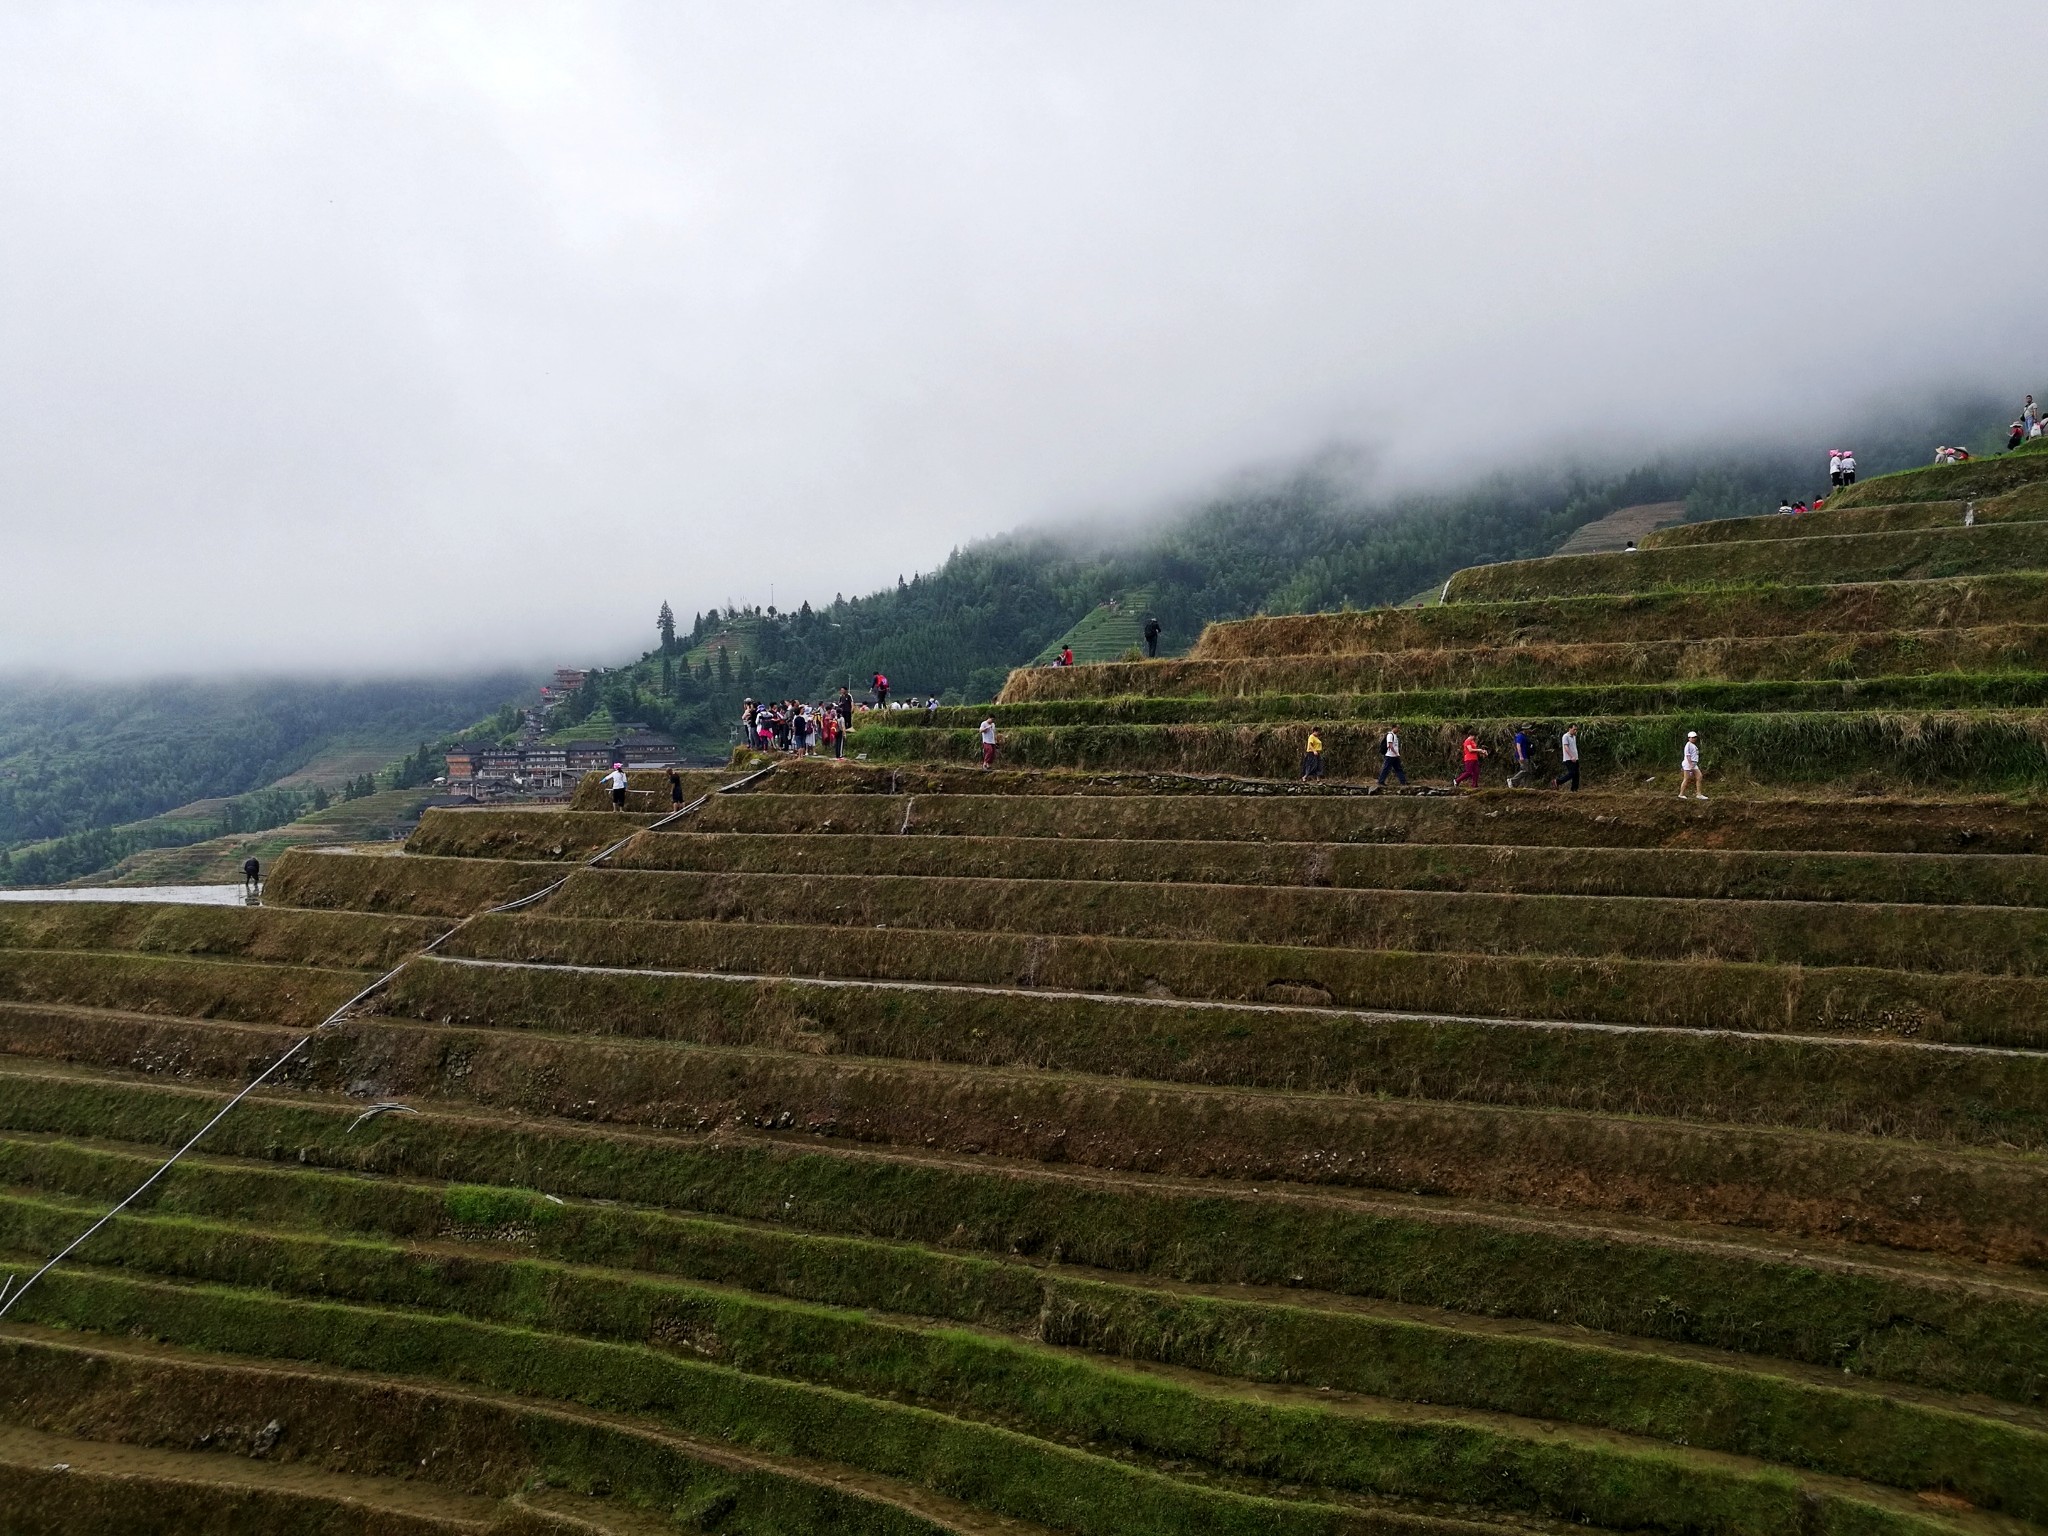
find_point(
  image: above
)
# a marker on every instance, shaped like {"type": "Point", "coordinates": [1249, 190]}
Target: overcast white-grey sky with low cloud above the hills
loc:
{"type": "Point", "coordinates": [431, 337]}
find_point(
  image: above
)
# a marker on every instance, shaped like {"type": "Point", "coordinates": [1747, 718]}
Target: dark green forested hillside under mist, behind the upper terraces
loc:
{"type": "Point", "coordinates": [1299, 546]}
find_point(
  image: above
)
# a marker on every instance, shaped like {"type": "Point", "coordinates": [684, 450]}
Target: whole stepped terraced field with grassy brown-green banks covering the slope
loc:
{"type": "Point", "coordinates": [1103, 1148]}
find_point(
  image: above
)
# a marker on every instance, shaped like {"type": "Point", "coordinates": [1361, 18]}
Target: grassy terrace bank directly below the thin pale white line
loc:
{"type": "Point", "coordinates": [1850, 1086]}
